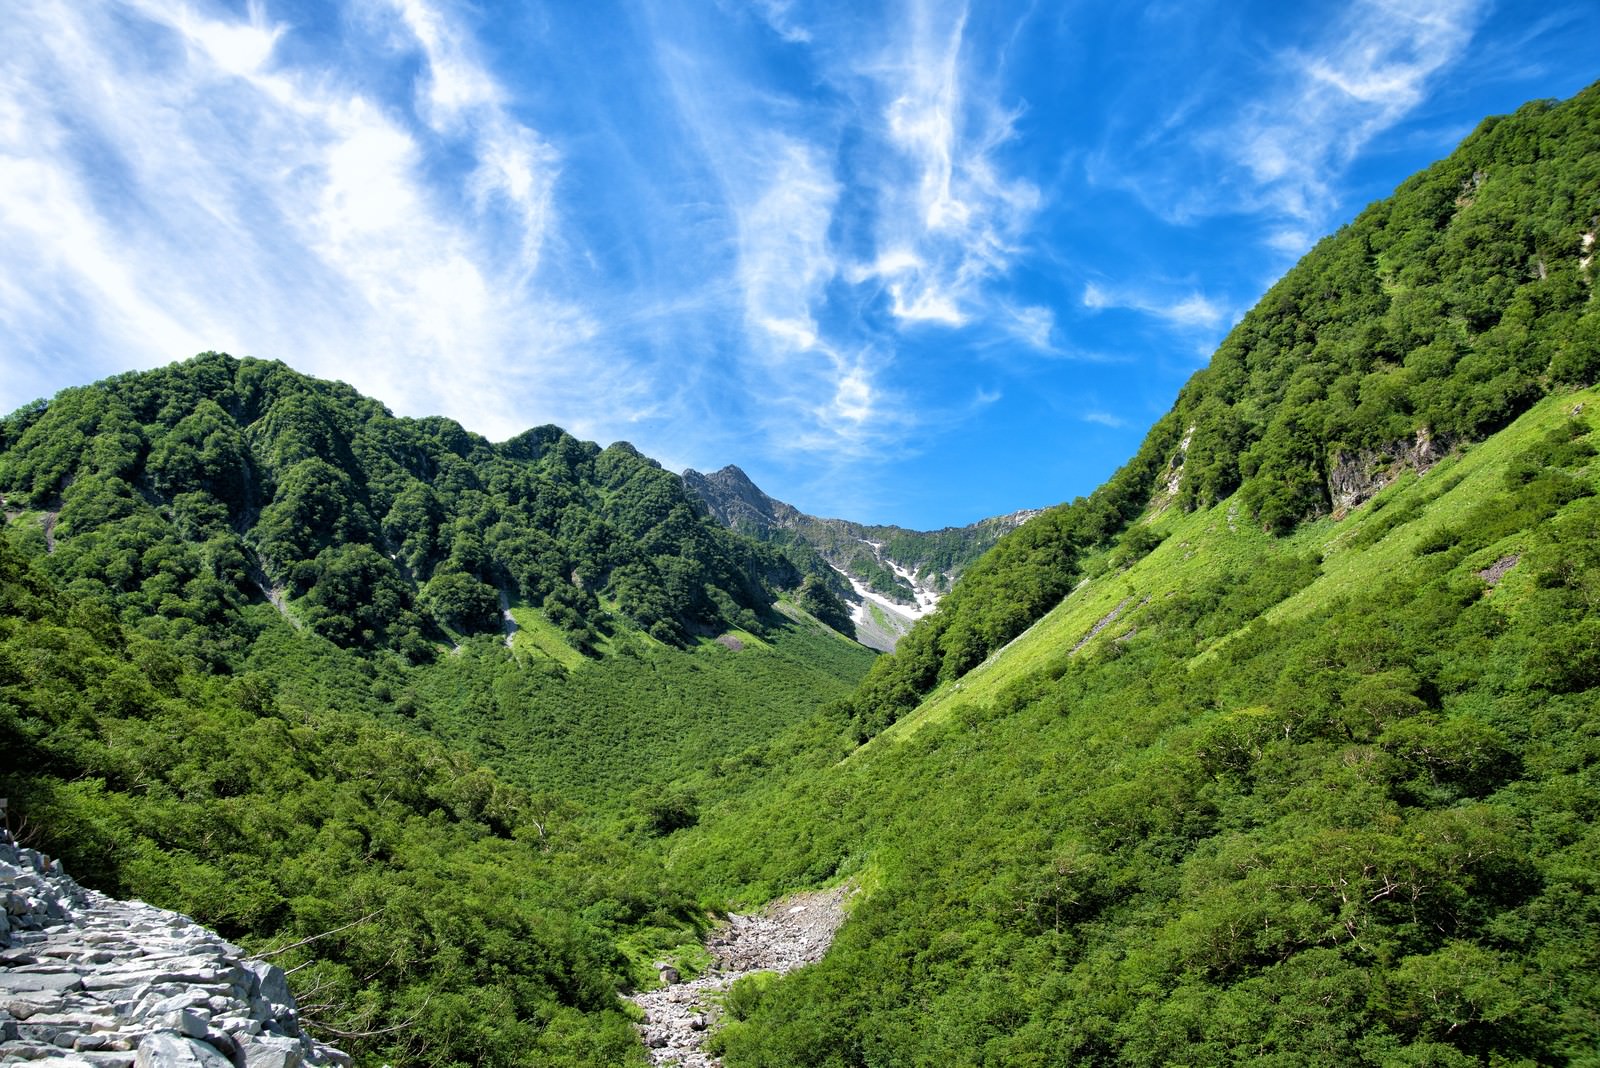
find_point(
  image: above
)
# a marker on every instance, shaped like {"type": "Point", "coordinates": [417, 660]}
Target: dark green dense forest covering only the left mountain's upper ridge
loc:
{"type": "Point", "coordinates": [193, 490]}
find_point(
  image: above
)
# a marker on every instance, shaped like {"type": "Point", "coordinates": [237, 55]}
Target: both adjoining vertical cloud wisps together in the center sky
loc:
{"type": "Point", "coordinates": [862, 218]}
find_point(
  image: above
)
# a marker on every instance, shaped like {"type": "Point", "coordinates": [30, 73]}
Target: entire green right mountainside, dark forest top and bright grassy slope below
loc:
{"type": "Point", "coordinates": [1281, 747]}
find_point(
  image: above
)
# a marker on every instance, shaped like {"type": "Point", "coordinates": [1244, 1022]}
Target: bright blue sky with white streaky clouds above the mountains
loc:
{"type": "Point", "coordinates": [911, 263]}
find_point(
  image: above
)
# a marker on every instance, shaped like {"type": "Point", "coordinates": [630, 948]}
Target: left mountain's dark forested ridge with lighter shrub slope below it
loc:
{"type": "Point", "coordinates": [543, 604]}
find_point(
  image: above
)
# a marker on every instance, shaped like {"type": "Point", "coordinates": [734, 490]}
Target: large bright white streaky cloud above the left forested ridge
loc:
{"type": "Point", "coordinates": [180, 189]}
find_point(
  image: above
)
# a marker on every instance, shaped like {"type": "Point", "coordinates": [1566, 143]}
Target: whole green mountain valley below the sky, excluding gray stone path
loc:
{"type": "Point", "coordinates": [1282, 747]}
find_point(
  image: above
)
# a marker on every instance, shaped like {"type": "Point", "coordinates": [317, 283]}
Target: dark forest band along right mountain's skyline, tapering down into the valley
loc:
{"type": "Point", "coordinates": [1430, 322]}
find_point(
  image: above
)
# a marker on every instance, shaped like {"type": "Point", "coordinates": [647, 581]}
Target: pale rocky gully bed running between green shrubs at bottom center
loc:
{"type": "Point", "coordinates": [785, 936]}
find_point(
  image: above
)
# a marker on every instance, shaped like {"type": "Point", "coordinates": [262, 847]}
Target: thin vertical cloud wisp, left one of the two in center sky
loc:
{"type": "Point", "coordinates": [772, 252]}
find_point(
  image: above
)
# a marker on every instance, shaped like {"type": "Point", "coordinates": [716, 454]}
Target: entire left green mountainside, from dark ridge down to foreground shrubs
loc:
{"type": "Point", "coordinates": [286, 663]}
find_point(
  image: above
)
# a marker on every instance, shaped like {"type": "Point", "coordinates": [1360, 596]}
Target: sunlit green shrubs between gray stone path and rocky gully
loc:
{"type": "Point", "coordinates": [490, 914]}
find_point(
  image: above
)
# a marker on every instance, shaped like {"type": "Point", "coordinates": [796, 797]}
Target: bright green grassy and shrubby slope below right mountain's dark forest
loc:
{"type": "Point", "coordinates": [1278, 810]}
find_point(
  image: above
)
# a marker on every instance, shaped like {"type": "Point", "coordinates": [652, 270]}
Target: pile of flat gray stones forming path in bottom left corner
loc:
{"type": "Point", "coordinates": [92, 981]}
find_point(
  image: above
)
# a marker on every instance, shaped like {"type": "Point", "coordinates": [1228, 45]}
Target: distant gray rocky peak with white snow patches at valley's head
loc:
{"type": "Point", "coordinates": [889, 576]}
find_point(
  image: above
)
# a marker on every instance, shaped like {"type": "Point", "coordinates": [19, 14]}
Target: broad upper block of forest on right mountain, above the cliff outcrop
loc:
{"type": "Point", "coordinates": [1446, 308]}
